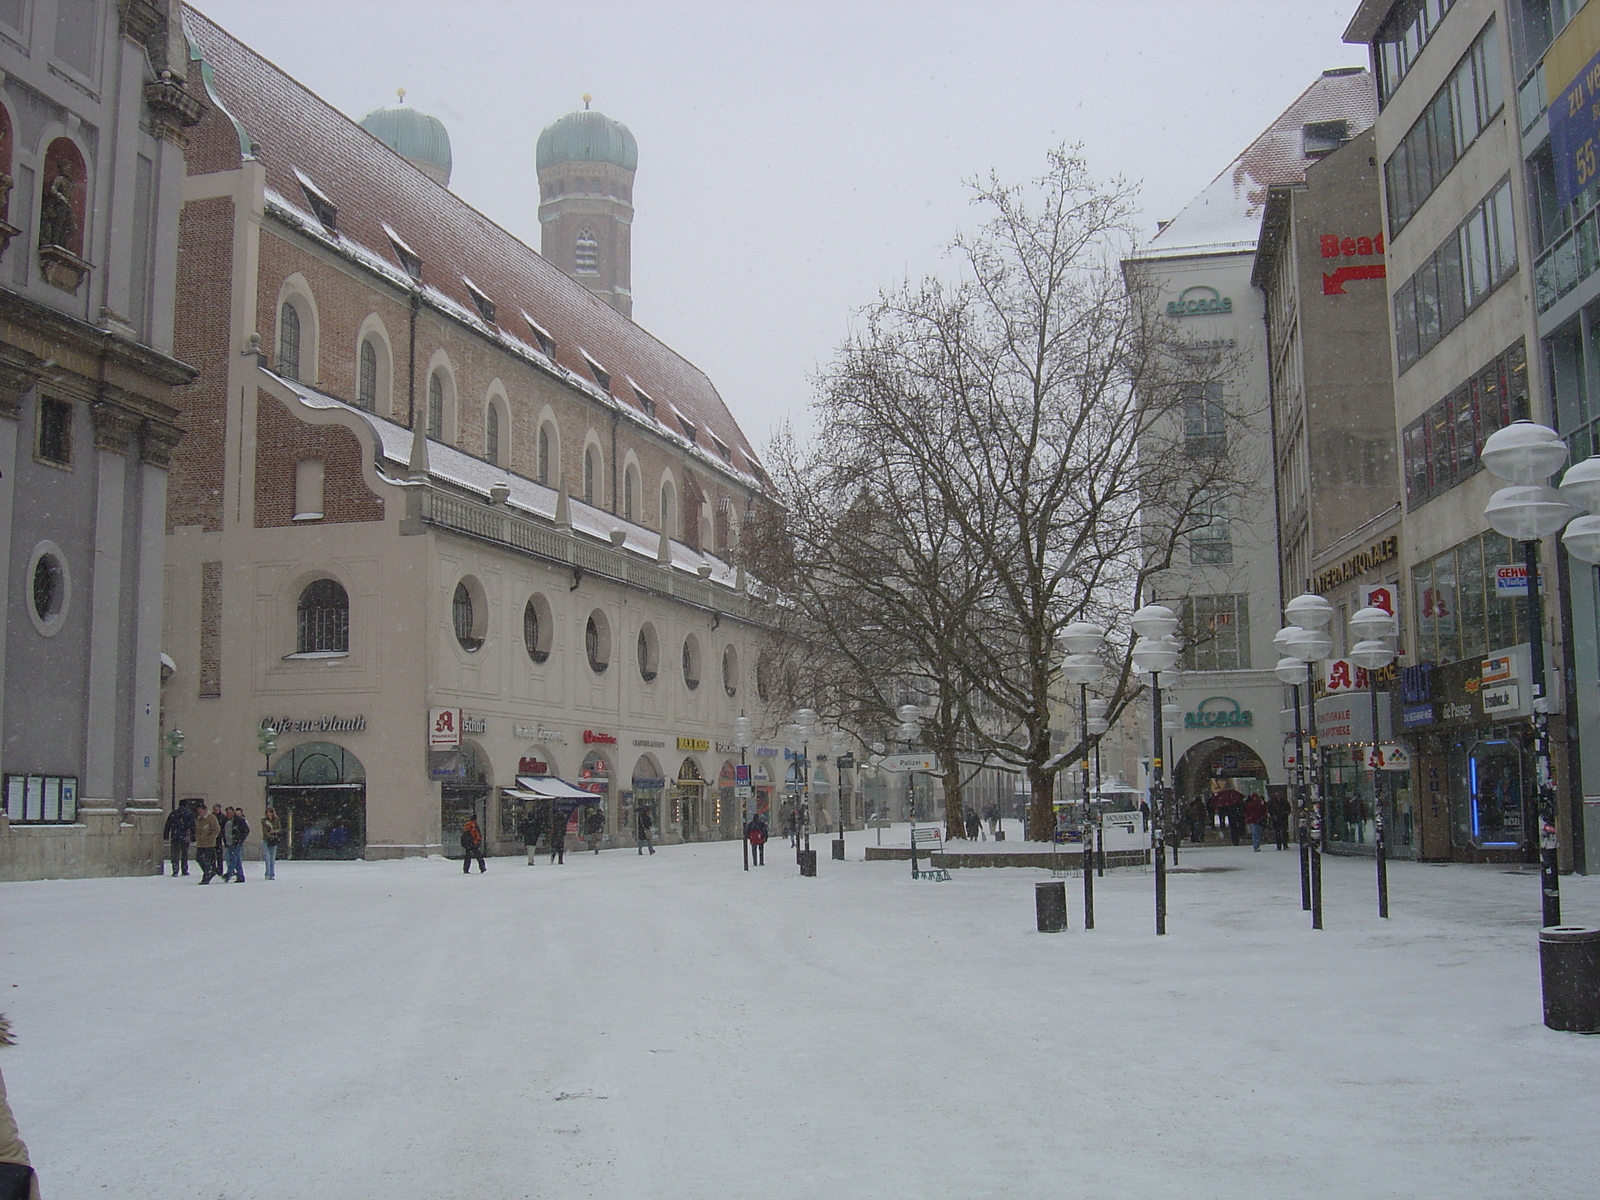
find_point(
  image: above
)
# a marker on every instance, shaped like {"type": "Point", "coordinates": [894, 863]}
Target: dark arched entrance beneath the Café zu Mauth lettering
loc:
{"type": "Point", "coordinates": [321, 798]}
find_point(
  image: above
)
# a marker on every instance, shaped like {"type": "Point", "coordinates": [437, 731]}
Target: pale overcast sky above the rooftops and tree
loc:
{"type": "Point", "coordinates": [796, 158]}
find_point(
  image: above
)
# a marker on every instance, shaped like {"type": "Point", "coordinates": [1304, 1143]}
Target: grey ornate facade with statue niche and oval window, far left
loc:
{"type": "Point", "coordinates": [94, 118]}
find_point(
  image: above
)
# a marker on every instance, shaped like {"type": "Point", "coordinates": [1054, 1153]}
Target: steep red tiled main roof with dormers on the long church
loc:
{"type": "Point", "coordinates": [298, 132]}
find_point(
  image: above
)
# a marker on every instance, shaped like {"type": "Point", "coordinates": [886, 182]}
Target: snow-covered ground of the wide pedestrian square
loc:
{"type": "Point", "coordinates": [673, 1028]}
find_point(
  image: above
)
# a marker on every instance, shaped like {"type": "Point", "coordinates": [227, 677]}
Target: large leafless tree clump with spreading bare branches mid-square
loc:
{"type": "Point", "coordinates": [998, 455]}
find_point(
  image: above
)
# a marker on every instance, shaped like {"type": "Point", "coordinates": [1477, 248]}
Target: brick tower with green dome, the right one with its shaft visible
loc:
{"type": "Point", "coordinates": [586, 167]}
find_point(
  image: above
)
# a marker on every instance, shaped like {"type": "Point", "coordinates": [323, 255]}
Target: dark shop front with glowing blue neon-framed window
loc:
{"type": "Point", "coordinates": [1473, 745]}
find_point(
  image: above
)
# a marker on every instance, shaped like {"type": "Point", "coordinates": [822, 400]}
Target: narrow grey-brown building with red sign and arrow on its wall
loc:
{"type": "Point", "coordinates": [1321, 266]}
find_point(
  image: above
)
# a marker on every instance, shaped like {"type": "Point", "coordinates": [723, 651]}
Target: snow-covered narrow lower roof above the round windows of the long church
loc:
{"type": "Point", "coordinates": [449, 465]}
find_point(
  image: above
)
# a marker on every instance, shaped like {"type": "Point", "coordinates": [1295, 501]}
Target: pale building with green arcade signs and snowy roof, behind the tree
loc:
{"type": "Point", "coordinates": [1226, 585]}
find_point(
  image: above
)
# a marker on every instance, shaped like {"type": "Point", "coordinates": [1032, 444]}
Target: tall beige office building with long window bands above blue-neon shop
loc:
{"type": "Point", "coordinates": [1457, 82]}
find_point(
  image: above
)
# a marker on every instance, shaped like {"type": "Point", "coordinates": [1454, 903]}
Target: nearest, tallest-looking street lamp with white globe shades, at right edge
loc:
{"type": "Point", "coordinates": [1527, 457]}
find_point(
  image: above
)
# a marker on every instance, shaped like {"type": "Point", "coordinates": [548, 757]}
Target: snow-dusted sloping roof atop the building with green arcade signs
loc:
{"type": "Point", "coordinates": [1226, 217]}
